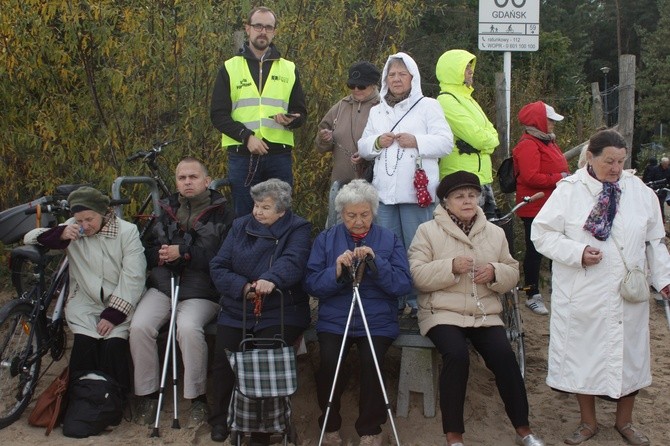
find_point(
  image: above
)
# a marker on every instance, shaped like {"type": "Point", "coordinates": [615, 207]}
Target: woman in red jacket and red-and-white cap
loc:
{"type": "Point", "coordinates": [539, 164]}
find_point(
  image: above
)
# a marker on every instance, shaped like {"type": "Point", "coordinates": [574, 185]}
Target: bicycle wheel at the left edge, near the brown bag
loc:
{"type": "Point", "coordinates": [19, 364]}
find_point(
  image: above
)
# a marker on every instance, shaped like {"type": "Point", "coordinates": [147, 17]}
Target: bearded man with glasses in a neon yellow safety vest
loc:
{"type": "Point", "coordinates": [257, 101]}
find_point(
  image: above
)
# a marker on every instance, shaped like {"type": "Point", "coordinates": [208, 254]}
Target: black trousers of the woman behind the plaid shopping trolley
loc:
{"type": "Point", "coordinates": [229, 338]}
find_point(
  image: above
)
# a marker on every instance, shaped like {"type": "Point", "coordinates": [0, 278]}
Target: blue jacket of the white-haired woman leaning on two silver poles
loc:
{"type": "Point", "coordinates": [379, 290]}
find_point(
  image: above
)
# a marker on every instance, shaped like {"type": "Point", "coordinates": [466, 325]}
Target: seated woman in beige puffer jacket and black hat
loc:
{"type": "Point", "coordinates": [460, 263]}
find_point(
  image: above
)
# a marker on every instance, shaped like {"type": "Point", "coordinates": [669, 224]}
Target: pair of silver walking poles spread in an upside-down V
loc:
{"type": "Point", "coordinates": [357, 271]}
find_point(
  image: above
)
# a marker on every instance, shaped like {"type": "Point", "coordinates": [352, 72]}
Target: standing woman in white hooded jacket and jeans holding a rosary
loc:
{"type": "Point", "coordinates": [404, 126]}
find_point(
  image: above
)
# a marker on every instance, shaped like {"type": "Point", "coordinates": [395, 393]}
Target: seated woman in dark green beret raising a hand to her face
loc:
{"type": "Point", "coordinates": [107, 275]}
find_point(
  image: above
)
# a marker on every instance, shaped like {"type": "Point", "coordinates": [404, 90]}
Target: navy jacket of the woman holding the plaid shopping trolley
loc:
{"type": "Point", "coordinates": [277, 253]}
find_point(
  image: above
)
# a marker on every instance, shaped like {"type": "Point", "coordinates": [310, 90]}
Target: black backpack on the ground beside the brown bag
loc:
{"type": "Point", "coordinates": [95, 401]}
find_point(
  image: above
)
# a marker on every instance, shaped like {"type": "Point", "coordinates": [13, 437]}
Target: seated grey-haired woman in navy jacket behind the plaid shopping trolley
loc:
{"type": "Point", "coordinates": [263, 251]}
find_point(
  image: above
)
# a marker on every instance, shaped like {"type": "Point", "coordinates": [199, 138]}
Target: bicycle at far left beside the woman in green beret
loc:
{"type": "Point", "coordinates": [32, 325]}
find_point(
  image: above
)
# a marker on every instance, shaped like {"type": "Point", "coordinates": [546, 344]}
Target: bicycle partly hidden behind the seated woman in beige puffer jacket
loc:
{"type": "Point", "coordinates": [511, 315]}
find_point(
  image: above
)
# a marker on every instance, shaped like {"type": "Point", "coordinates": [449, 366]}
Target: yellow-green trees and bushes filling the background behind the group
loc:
{"type": "Point", "coordinates": [85, 84]}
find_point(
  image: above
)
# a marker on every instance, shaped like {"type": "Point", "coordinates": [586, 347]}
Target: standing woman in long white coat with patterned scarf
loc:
{"type": "Point", "coordinates": [599, 342]}
